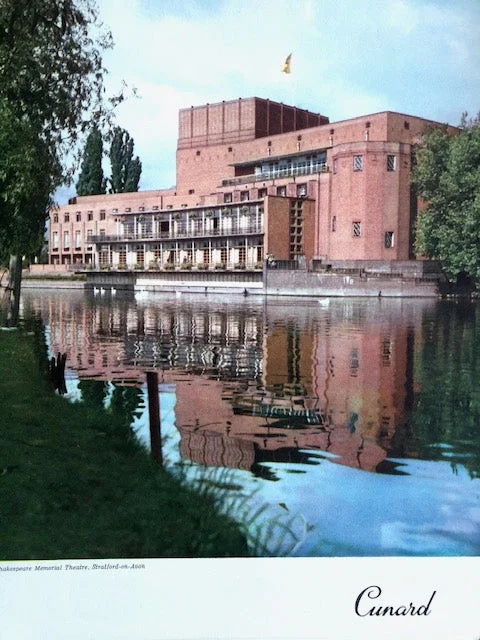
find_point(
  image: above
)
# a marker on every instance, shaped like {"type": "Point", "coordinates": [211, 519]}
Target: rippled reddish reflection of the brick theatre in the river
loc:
{"type": "Point", "coordinates": [267, 382]}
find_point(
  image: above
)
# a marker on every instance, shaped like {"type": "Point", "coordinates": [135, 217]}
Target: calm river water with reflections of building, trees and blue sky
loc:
{"type": "Point", "coordinates": [337, 427]}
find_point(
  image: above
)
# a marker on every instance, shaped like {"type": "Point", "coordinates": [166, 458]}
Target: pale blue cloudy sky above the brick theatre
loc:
{"type": "Point", "coordinates": [350, 58]}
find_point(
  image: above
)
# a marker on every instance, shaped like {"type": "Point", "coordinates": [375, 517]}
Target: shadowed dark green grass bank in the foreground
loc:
{"type": "Point", "coordinates": [75, 483]}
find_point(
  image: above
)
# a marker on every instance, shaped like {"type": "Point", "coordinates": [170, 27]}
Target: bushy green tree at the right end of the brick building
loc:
{"type": "Point", "coordinates": [447, 174]}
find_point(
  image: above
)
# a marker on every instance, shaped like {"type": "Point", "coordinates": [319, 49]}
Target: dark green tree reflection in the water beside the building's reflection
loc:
{"type": "Point", "coordinates": [447, 406]}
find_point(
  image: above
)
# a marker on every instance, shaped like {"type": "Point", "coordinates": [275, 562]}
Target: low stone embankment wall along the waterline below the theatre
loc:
{"type": "Point", "coordinates": [368, 279]}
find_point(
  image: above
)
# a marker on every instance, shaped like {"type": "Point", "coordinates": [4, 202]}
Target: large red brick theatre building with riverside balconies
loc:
{"type": "Point", "coordinates": [257, 178]}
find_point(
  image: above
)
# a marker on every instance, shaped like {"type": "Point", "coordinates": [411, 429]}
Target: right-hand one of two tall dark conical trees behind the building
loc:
{"type": "Point", "coordinates": [126, 169]}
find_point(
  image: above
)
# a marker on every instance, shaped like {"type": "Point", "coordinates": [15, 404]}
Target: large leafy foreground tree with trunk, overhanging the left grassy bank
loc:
{"type": "Point", "coordinates": [51, 87]}
